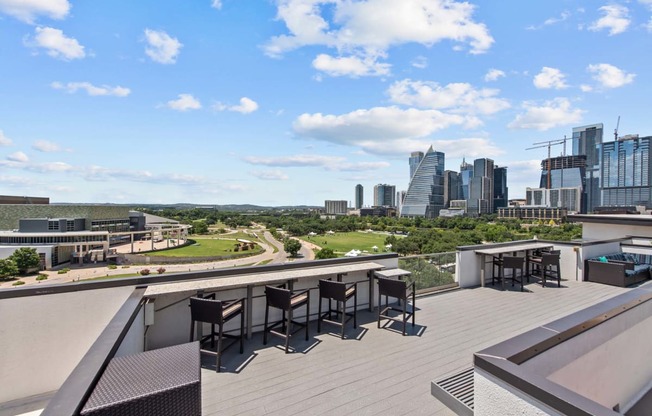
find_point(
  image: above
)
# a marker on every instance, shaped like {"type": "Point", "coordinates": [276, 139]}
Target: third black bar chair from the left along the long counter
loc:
{"type": "Point", "coordinates": [340, 293]}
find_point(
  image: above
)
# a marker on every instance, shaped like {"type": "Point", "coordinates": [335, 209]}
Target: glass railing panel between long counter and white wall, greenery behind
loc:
{"type": "Point", "coordinates": [430, 271]}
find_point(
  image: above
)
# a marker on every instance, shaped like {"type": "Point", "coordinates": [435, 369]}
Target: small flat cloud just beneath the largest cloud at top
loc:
{"type": "Point", "coordinates": [350, 66]}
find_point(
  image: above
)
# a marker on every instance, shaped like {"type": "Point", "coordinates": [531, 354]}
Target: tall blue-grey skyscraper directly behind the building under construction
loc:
{"type": "Point", "coordinates": [586, 142]}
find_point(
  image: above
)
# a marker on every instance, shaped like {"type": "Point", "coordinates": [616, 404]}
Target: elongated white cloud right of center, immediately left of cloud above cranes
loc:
{"type": "Point", "coordinates": [458, 97]}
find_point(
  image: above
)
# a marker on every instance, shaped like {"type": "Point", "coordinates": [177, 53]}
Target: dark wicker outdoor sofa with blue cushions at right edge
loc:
{"type": "Point", "coordinates": [618, 269]}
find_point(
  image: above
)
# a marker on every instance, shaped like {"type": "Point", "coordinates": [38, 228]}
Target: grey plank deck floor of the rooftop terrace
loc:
{"type": "Point", "coordinates": [382, 372]}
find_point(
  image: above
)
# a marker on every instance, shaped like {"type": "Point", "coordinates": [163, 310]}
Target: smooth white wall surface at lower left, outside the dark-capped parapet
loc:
{"type": "Point", "coordinates": [43, 338]}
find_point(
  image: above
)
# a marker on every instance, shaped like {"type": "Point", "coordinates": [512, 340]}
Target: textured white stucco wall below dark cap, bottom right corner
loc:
{"type": "Point", "coordinates": [492, 397]}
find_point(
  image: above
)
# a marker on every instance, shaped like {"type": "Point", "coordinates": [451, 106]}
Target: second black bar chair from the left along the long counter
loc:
{"type": "Point", "coordinates": [287, 301]}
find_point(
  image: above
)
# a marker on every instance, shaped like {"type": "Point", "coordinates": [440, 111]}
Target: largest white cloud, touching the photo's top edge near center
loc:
{"type": "Point", "coordinates": [362, 32]}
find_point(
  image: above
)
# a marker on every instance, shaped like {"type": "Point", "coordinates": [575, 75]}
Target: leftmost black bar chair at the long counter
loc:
{"type": "Point", "coordinates": [217, 313]}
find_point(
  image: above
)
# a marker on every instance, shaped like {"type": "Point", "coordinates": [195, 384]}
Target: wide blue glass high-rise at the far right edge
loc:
{"type": "Point", "coordinates": [626, 172]}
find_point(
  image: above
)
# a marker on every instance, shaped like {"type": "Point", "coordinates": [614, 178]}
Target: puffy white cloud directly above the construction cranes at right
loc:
{"type": "Point", "coordinates": [553, 113]}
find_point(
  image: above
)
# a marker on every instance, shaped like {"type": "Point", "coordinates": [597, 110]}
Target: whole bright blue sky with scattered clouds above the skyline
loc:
{"type": "Point", "coordinates": [293, 102]}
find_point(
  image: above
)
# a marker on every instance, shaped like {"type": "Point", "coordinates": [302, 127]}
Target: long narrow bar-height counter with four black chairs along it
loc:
{"type": "Point", "coordinates": [249, 281]}
